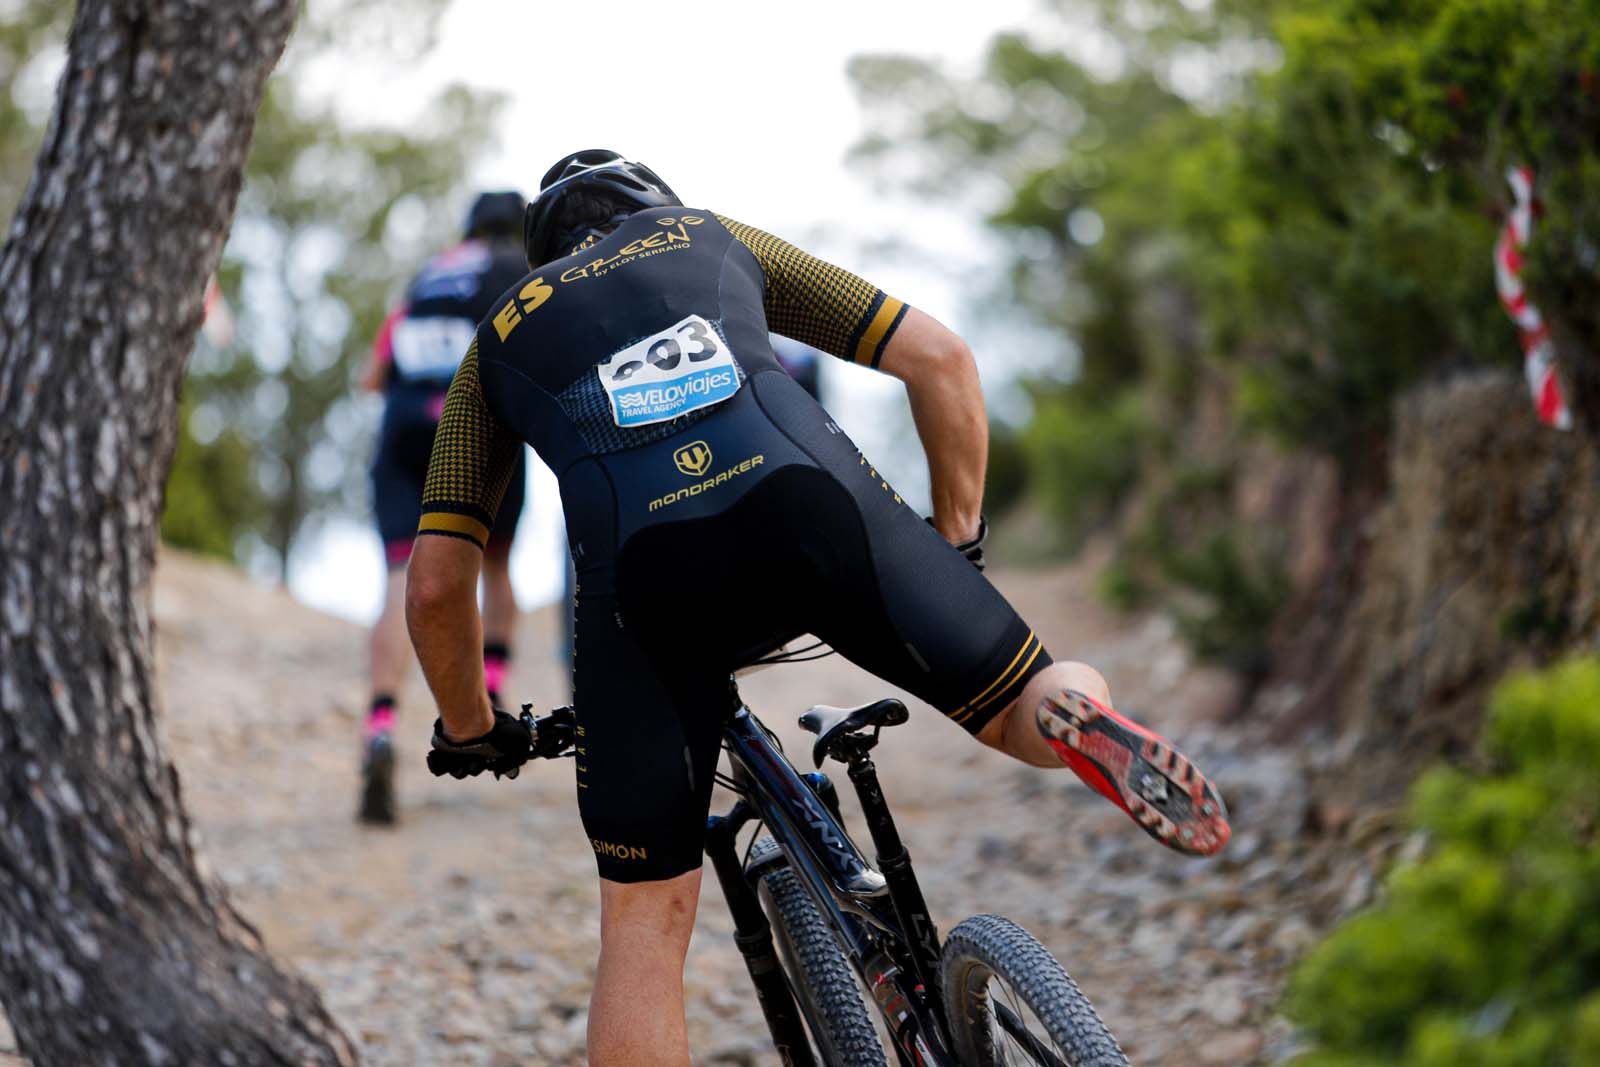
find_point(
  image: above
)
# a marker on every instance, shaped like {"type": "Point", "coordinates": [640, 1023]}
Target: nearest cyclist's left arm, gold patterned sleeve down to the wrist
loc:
{"type": "Point", "coordinates": [474, 457]}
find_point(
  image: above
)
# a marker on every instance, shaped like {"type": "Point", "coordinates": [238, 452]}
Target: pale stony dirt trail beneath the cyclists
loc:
{"type": "Point", "coordinates": [468, 933]}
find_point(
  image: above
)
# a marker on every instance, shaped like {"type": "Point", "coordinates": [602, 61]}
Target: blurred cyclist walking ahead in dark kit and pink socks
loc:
{"type": "Point", "coordinates": [414, 359]}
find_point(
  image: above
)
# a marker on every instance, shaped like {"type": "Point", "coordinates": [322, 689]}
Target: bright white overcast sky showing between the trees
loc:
{"type": "Point", "coordinates": [743, 108]}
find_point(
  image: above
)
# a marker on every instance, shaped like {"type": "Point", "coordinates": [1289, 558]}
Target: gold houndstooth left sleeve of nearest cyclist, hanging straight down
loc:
{"type": "Point", "coordinates": [474, 457]}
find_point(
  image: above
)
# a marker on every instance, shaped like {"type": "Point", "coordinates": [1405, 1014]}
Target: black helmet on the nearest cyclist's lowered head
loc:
{"type": "Point", "coordinates": [602, 175]}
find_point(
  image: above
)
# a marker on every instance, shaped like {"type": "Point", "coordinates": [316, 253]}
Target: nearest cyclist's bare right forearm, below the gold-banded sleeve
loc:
{"type": "Point", "coordinates": [948, 407]}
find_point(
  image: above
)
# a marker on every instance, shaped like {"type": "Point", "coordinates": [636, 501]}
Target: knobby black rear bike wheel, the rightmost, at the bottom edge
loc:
{"type": "Point", "coordinates": [1010, 1002]}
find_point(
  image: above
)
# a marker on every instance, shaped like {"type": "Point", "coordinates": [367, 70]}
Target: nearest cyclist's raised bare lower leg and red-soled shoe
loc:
{"type": "Point", "coordinates": [1065, 717]}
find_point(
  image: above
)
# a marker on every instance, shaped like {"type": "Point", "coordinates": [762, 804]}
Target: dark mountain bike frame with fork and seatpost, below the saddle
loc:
{"type": "Point", "coordinates": [878, 913]}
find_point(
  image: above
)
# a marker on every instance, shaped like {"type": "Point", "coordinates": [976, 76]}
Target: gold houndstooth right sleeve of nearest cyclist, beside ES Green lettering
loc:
{"type": "Point", "coordinates": [814, 302]}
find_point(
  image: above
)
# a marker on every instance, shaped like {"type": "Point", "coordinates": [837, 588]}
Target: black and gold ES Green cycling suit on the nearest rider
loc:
{"type": "Point", "coordinates": [713, 508]}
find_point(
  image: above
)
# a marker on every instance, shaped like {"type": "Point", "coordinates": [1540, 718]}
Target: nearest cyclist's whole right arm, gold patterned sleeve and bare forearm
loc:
{"type": "Point", "coordinates": [846, 316]}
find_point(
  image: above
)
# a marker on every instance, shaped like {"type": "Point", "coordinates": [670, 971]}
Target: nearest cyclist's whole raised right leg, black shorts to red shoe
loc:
{"type": "Point", "coordinates": [897, 599]}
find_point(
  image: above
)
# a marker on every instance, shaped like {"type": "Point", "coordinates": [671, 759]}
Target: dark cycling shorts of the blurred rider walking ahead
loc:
{"type": "Point", "coordinates": [401, 468]}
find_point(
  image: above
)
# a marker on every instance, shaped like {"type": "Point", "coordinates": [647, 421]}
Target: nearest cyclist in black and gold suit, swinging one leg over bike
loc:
{"type": "Point", "coordinates": [713, 510]}
